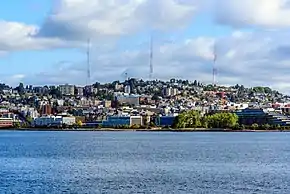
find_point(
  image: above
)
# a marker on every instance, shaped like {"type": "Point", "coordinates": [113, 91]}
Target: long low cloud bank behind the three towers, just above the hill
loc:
{"type": "Point", "coordinates": [250, 59]}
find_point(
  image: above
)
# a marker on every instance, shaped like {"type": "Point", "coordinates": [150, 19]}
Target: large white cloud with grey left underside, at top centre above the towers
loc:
{"type": "Point", "coordinates": [80, 19]}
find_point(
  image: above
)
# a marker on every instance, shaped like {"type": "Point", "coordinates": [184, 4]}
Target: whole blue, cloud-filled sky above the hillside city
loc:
{"type": "Point", "coordinates": [44, 42]}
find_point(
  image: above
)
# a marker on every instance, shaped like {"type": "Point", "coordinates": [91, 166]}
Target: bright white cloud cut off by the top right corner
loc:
{"type": "Point", "coordinates": [264, 13]}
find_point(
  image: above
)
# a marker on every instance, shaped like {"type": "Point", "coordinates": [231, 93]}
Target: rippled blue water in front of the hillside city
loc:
{"type": "Point", "coordinates": [144, 162]}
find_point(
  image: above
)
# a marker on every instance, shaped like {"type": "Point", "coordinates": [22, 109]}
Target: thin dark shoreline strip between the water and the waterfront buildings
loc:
{"type": "Point", "coordinates": [141, 130]}
